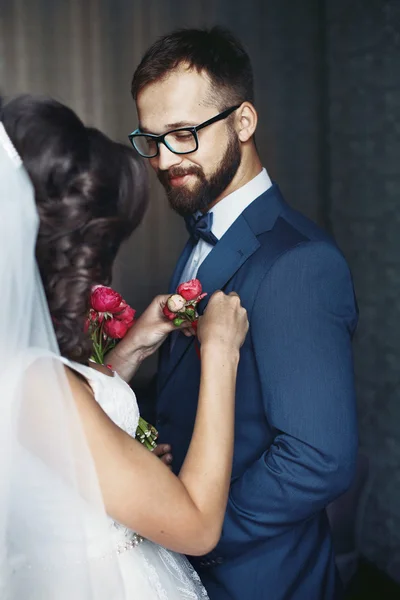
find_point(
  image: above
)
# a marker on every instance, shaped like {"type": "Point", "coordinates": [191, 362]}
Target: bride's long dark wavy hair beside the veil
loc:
{"type": "Point", "coordinates": [91, 193]}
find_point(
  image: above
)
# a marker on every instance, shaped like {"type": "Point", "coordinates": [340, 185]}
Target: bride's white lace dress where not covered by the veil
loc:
{"type": "Point", "coordinates": [158, 573]}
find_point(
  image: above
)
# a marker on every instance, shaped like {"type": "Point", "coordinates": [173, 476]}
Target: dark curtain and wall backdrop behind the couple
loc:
{"type": "Point", "coordinates": [328, 96]}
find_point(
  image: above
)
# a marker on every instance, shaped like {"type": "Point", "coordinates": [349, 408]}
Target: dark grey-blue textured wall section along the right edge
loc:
{"type": "Point", "coordinates": [363, 67]}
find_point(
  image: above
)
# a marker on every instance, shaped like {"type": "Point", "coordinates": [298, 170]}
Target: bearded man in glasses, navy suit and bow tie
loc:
{"type": "Point", "coordinates": [296, 435]}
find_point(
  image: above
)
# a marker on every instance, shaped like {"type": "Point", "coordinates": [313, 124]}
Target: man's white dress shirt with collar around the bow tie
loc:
{"type": "Point", "coordinates": [225, 214]}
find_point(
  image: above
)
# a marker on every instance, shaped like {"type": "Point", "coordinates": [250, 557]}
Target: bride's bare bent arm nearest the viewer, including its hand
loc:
{"type": "Point", "coordinates": [183, 513]}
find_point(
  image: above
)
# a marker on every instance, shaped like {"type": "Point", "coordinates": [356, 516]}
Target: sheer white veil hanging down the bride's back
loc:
{"type": "Point", "coordinates": [51, 510]}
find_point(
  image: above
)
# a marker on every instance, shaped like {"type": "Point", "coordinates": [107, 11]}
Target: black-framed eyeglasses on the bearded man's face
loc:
{"type": "Point", "coordinates": [179, 141]}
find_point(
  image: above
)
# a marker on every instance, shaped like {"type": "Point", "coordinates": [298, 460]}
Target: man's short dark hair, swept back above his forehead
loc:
{"type": "Point", "coordinates": [216, 52]}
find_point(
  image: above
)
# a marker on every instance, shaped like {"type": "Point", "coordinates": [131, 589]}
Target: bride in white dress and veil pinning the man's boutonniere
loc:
{"type": "Point", "coordinates": [86, 512]}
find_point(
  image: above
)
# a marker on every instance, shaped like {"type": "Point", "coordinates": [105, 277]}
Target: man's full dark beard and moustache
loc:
{"type": "Point", "coordinates": [187, 201]}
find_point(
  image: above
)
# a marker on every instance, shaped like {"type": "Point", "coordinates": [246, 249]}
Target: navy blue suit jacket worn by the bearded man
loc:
{"type": "Point", "coordinates": [296, 432]}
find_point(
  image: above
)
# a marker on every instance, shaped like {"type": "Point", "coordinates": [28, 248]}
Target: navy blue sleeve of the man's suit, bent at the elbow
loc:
{"type": "Point", "coordinates": [301, 327]}
